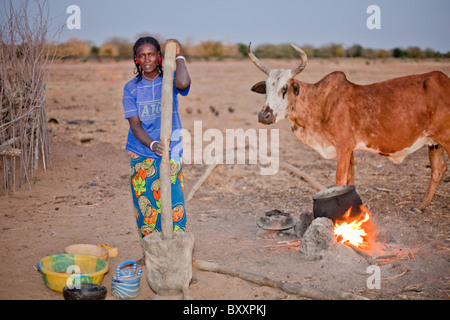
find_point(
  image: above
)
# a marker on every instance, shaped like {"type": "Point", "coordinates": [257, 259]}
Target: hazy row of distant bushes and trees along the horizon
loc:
{"type": "Point", "coordinates": [122, 48]}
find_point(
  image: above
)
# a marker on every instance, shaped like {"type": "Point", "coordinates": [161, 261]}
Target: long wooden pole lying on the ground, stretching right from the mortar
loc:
{"type": "Point", "coordinates": [292, 288]}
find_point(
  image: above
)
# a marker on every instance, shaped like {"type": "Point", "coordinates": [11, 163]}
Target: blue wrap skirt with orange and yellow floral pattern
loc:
{"type": "Point", "coordinates": [146, 192]}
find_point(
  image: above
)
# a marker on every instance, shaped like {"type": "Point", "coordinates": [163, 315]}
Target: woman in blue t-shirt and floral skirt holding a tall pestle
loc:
{"type": "Point", "coordinates": [142, 105]}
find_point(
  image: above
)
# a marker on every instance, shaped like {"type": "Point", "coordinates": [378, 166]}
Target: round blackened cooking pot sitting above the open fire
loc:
{"type": "Point", "coordinates": [334, 202]}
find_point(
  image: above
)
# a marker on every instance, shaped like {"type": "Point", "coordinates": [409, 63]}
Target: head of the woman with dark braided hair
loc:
{"type": "Point", "coordinates": [147, 56]}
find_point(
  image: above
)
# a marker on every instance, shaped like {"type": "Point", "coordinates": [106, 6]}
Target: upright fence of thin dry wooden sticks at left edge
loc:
{"type": "Point", "coordinates": [24, 68]}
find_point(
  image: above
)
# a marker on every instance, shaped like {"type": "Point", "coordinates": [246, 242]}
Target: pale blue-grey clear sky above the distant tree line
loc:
{"type": "Point", "coordinates": [403, 23]}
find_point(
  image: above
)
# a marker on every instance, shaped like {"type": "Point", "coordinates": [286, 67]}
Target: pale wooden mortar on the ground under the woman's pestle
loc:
{"type": "Point", "coordinates": [168, 264]}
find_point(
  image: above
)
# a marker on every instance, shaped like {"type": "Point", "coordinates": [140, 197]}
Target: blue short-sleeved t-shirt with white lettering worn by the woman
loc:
{"type": "Point", "coordinates": [143, 99]}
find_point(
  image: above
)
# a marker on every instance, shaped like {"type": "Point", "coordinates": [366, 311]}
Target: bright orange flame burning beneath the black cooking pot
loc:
{"type": "Point", "coordinates": [352, 231]}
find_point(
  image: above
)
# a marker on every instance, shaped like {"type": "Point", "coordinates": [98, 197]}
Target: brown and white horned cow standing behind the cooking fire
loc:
{"type": "Point", "coordinates": [334, 116]}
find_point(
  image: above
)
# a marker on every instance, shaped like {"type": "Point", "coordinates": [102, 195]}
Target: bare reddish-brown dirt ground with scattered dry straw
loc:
{"type": "Point", "coordinates": [84, 197]}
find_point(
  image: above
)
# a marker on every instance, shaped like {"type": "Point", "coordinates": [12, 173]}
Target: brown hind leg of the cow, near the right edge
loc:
{"type": "Point", "coordinates": [438, 168]}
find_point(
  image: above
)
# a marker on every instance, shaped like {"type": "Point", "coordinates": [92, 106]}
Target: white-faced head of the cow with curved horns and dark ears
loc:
{"type": "Point", "coordinates": [280, 87]}
